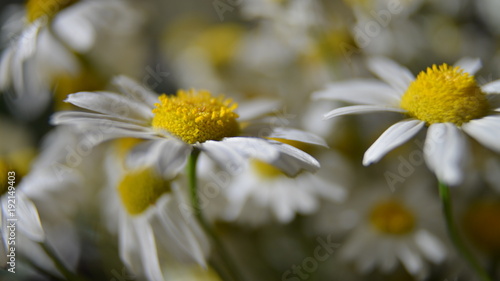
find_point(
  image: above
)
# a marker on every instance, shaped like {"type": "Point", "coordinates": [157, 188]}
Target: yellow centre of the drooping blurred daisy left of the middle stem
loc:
{"type": "Point", "coordinates": [140, 189]}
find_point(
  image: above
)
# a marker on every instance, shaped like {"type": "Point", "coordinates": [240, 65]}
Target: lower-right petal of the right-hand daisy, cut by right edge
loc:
{"type": "Point", "coordinates": [485, 130]}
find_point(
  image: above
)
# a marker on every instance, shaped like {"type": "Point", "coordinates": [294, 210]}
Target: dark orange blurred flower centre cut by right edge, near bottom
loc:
{"type": "Point", "coordinates": [482, 224]}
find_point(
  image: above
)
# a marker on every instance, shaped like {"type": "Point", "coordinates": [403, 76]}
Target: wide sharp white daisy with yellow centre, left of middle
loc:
{"type": "Point", "coordinates": [191, 120]}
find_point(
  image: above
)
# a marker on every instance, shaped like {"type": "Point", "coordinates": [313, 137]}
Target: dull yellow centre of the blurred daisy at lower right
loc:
{"type": "Point", "coordinates": [391, 217]}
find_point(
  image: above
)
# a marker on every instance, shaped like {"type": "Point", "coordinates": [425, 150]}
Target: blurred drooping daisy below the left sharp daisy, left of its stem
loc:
{"type": "Point", "coordinates": [145, 210]}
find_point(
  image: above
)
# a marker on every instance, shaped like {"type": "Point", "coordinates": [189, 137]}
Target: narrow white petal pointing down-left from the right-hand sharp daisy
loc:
{"type": "Point", "coordinates": [393, 137]}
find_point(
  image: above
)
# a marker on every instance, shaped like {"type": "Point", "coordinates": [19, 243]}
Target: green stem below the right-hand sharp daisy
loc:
{"type": "Point", "coordinates": [444, 193]}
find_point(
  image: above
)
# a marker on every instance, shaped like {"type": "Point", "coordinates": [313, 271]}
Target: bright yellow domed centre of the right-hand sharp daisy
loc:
{"type": "Point", "coordinates": [445, 94]}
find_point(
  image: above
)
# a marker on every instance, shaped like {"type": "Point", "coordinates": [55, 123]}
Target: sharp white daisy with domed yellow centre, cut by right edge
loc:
{"type": "Point", "coordinates": [445, 99]}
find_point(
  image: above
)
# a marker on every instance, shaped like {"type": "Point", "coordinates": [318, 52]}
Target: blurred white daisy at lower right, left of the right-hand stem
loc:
{"type": "Point", "coordinates": [390, 229]}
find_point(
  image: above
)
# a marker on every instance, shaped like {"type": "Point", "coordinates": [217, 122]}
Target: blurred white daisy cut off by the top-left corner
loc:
{"type": "Point", "coordinates": [47, 40]}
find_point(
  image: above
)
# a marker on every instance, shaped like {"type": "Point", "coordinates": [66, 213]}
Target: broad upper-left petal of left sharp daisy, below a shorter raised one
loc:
{"type": "Point", "coordinates": [112, 104]}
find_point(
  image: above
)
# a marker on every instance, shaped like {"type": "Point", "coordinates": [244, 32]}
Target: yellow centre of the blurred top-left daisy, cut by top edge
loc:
{"type": "Point", "coordinates": [45, 8]}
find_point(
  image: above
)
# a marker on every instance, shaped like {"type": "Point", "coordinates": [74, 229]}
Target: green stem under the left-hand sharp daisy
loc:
{"type": "Point", "coordinates": [230, 268]}
